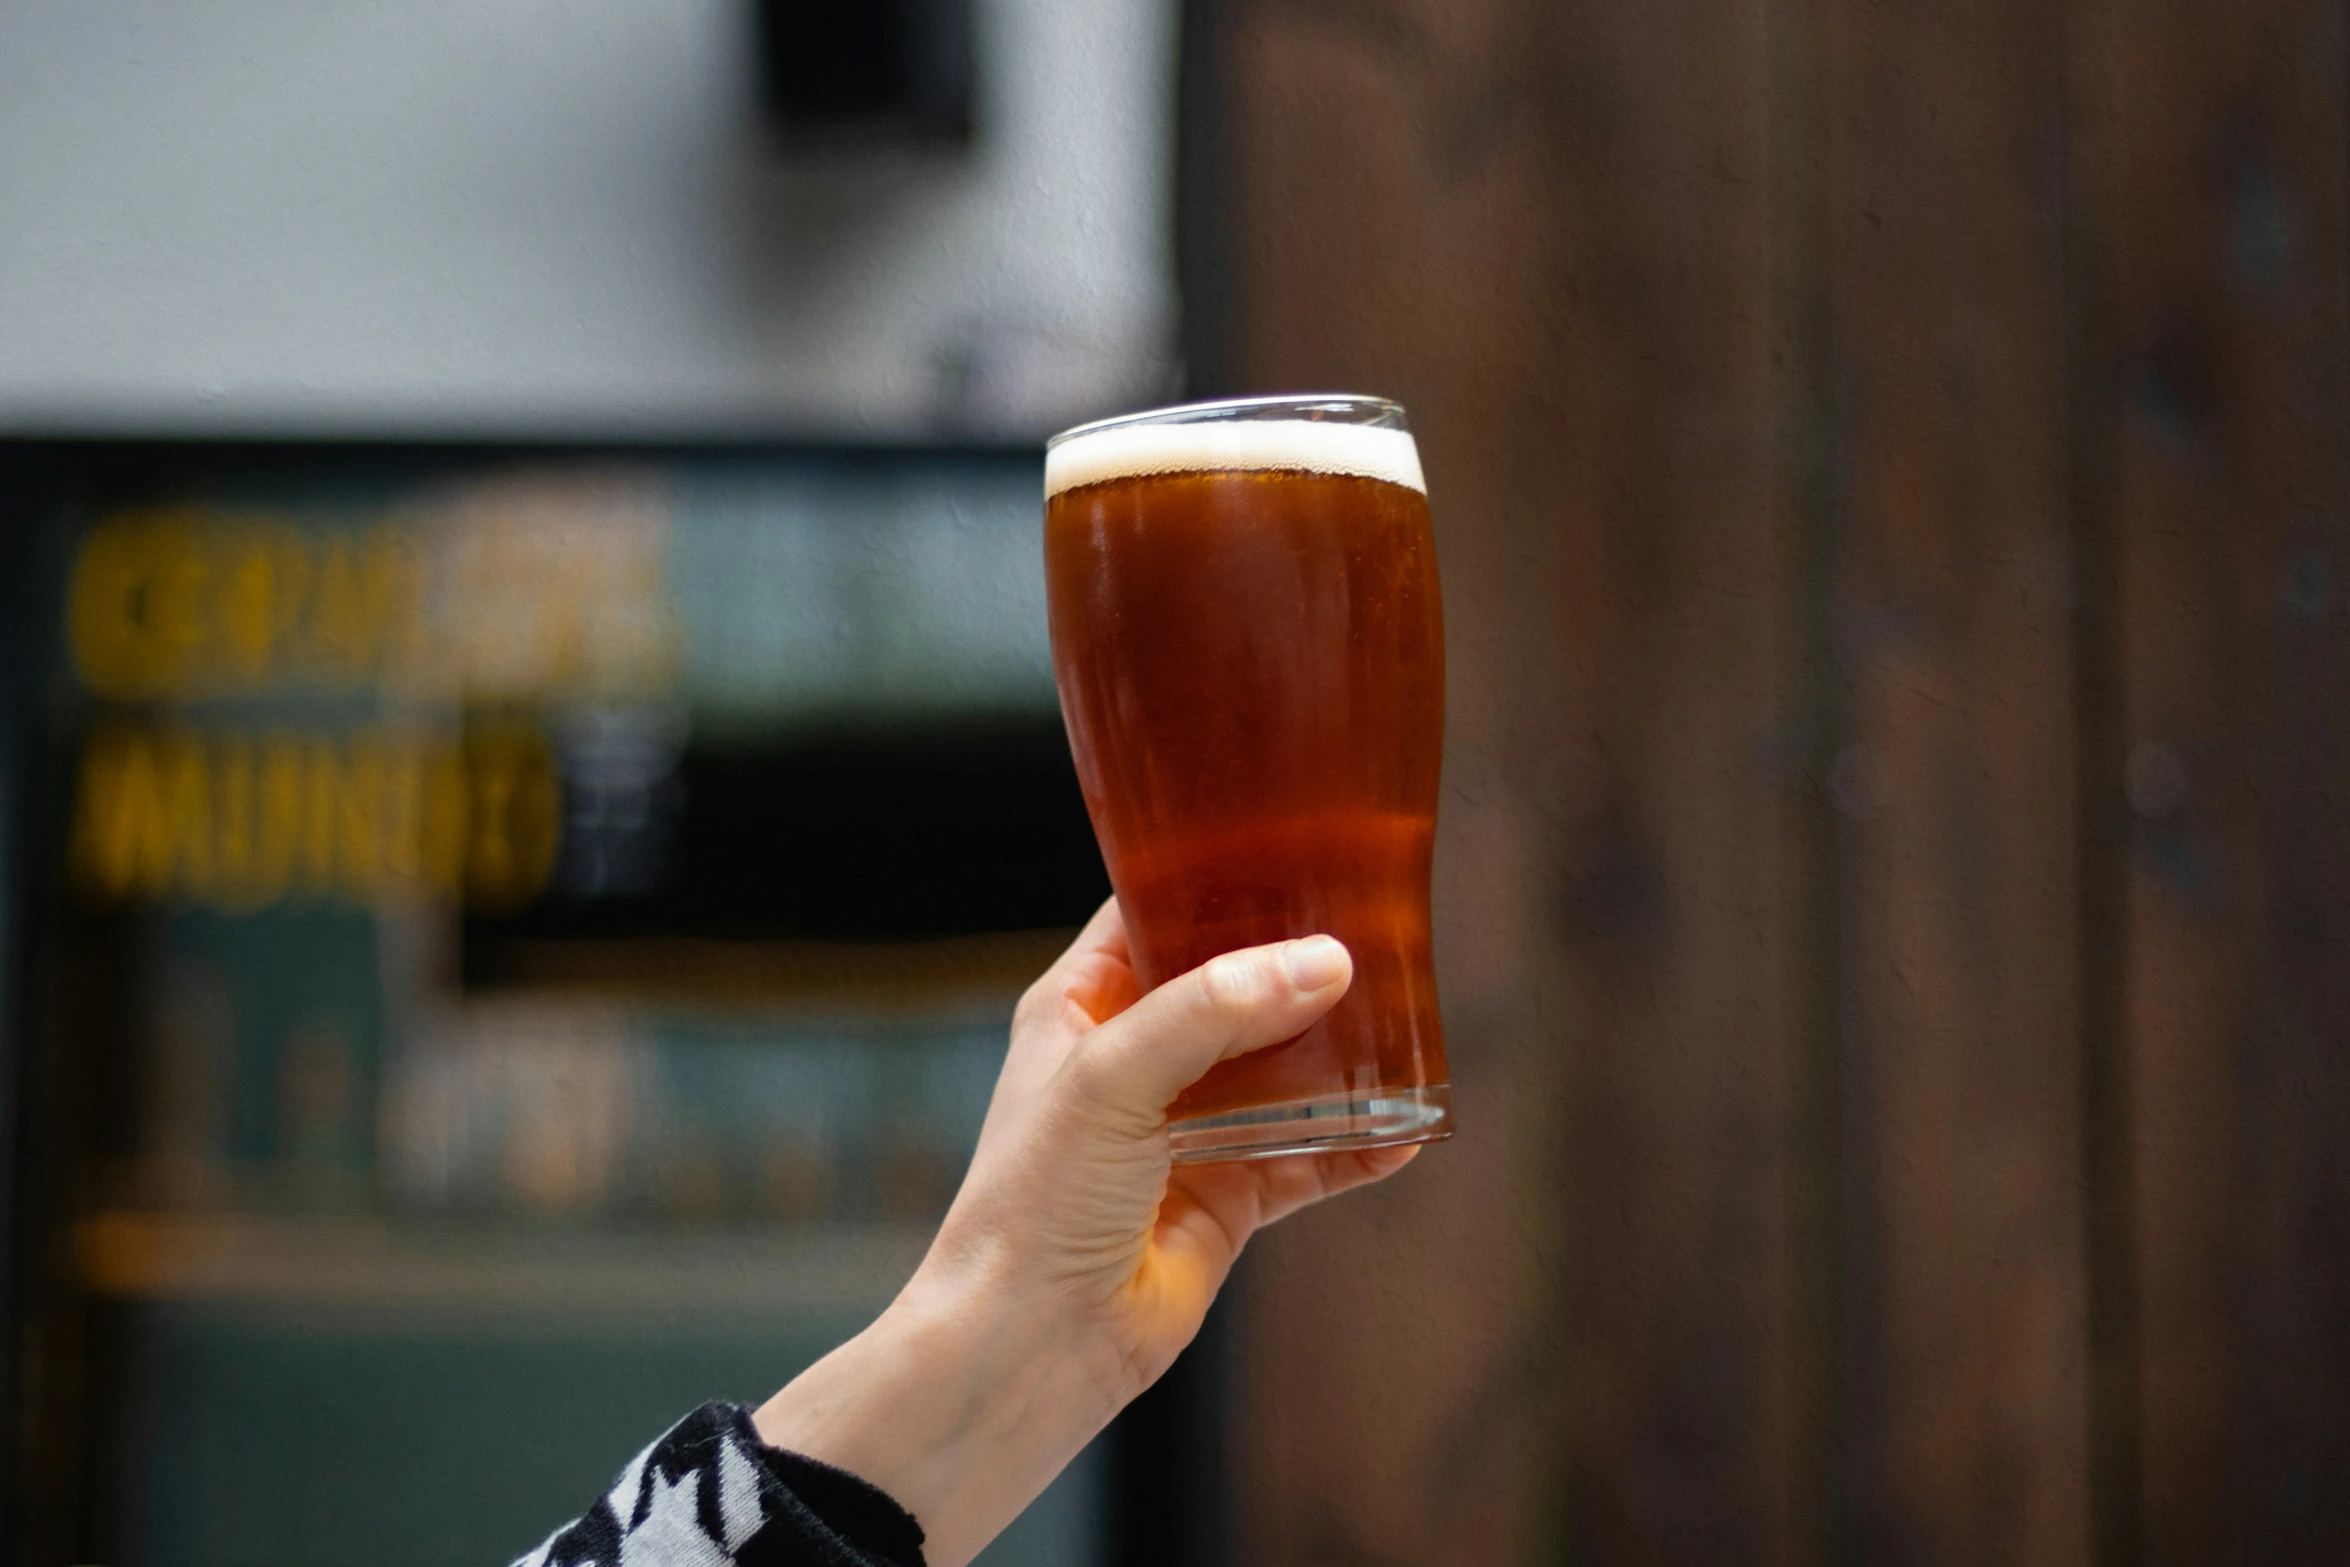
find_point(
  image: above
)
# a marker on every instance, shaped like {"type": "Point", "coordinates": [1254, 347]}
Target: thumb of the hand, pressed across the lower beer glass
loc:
{"type": "Point", "coordinates": [1240, 1002]}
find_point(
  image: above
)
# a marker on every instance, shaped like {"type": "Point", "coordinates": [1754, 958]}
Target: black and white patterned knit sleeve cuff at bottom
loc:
{"type": "Point", "coordinates": [713, 1495]}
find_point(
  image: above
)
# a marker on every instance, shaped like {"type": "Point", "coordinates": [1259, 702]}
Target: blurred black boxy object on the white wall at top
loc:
{"type": "Point", "coordinates": [885, 72]}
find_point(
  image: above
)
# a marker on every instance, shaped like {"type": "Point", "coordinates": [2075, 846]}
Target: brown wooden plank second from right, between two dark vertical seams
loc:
{"type": "Point", "coordinates": [1963, 1361]}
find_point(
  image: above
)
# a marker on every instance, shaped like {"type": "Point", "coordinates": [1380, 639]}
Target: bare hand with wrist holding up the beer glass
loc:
{"type": "Point", "coordinates": [1077, 1260]}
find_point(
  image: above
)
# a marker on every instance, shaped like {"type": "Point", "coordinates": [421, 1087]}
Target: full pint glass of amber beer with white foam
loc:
{"type": "Point", "coordinates": [1249, 647]}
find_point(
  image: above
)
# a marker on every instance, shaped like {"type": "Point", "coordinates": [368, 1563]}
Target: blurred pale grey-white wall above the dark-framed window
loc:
{"type": "Point", "coordinates": [560, 217]}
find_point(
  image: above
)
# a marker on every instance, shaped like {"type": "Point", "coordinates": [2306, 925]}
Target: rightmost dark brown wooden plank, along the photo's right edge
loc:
{"type": "Point", "coordinates": [2224, 206]}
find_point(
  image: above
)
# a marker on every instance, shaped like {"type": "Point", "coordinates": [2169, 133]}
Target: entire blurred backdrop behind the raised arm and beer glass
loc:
{"type": "Point", "coordinates": [532, 774]}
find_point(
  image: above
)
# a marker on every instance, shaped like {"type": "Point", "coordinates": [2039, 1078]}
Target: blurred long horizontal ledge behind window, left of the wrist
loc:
{"type": "Point", "coordinates": [485, 1267]}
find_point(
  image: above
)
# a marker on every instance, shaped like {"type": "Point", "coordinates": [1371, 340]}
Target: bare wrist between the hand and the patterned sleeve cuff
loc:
{"type": "Point", "coordinates": [960, 1401]}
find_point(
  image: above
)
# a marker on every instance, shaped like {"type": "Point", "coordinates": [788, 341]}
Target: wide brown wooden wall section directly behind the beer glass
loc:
{"type": "Point", "coordinates": [1576, 1340]}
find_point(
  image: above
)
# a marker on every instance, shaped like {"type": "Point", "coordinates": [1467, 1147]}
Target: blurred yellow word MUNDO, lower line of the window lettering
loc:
{"type": "Point", "coordinates": [243, 821]}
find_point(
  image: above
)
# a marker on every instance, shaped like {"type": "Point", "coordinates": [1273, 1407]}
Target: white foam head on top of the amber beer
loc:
{"type": "Point", "coordinates": [1233, 445]}
